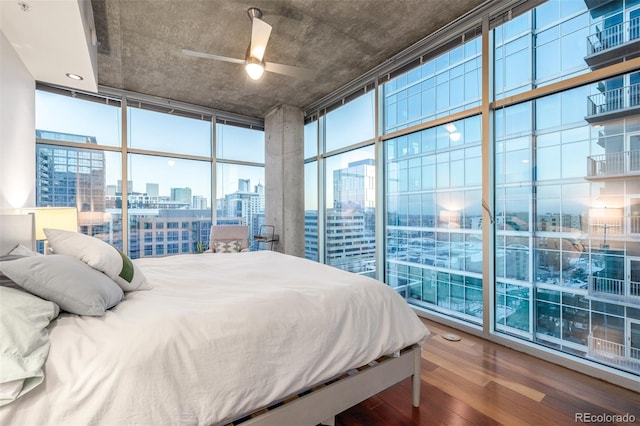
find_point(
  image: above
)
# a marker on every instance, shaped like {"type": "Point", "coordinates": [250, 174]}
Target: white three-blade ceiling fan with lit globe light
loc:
{"type": "Point", "coordinates": [254, 64]}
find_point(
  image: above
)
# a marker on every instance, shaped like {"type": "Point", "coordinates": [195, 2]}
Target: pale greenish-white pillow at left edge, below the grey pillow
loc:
{"type": "Point", "coordinates": [25, 341]}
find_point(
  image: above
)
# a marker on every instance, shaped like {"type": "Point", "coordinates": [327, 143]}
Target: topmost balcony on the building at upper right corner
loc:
{"type": "Point", "coordinates": [614, 44]}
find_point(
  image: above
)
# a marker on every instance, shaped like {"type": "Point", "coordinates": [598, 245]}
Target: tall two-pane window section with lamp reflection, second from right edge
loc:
{"type": "Point", "coordinates": [433, 184]}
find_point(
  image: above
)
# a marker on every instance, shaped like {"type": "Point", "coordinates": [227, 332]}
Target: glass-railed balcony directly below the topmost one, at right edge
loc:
{"type": "Point", "coordinates": [612, 104]}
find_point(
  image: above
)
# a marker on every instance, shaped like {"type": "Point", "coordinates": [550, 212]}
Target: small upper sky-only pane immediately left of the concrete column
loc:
{"type": "Point", "coordinates": [238, 143]}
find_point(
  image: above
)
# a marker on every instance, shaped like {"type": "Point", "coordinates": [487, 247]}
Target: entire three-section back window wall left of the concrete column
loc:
{"type": "Point", "coordinates": [166, 191]}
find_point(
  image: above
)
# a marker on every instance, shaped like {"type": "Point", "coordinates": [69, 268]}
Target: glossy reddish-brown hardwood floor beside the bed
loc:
{"type": "Point", "coordinates": [476, 382]}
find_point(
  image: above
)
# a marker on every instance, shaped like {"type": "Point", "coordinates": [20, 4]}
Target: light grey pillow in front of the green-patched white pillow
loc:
{"type": "Point", "coordinates": [66, 281]}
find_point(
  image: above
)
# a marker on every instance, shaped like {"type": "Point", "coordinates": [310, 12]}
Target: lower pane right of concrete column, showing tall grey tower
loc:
{"type": "Point", "coordinates": [350, 213]}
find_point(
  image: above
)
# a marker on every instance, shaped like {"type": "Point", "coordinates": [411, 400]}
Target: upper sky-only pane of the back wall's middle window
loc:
{"type": "Point", "coordinates": [156, 131]}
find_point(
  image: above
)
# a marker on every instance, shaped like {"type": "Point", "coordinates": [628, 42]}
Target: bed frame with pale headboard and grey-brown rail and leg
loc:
{"type": "Point", "coordinates": [313, 406]}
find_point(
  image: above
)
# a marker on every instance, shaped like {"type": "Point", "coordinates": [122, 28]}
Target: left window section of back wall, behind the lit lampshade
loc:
{"type": "Point", "coordinates": [75, 162]}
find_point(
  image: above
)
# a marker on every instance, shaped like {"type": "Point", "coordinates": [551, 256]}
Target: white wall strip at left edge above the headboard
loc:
{"type": "Point", "coordinates": [17, 131]}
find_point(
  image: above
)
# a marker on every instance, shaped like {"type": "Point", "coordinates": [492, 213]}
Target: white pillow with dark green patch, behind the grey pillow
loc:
{"type": "Point", "coordinates": [99, 255]}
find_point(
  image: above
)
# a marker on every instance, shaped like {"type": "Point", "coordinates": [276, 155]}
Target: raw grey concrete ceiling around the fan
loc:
{"type": "Point", "coordinates": [140, 42]}
